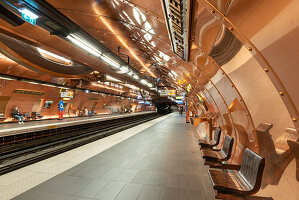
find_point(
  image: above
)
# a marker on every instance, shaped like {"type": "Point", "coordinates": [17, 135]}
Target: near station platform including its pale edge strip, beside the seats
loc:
{"type": "Point", "coordinates": [157, 160]}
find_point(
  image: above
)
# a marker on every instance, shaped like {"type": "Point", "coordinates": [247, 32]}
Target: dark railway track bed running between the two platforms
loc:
{"type": "Point", "coordinates": [25, 152]}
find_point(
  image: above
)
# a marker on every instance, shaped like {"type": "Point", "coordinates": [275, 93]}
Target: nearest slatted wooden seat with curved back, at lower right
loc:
{"type": "Point", "coordinates": [246, 181]}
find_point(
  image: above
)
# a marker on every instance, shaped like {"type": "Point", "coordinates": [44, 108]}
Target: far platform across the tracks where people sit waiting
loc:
{"type": "Point", "coordinates": [7, 129]}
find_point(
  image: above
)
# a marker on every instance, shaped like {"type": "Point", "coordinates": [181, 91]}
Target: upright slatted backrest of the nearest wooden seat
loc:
{"type": "Point", "coordinates": [251, 170]}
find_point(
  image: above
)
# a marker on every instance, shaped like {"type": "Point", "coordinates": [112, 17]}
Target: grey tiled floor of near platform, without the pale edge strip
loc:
{"type": "Point", "coordinates": [162, 162]}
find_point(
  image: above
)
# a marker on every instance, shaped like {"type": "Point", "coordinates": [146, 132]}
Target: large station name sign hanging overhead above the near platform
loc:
{"type": "Point", "coordinates": [178, 16]}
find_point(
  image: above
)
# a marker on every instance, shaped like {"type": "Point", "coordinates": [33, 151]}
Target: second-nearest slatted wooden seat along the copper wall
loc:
{"type": "Point", "coordinates": [219, 155]}
